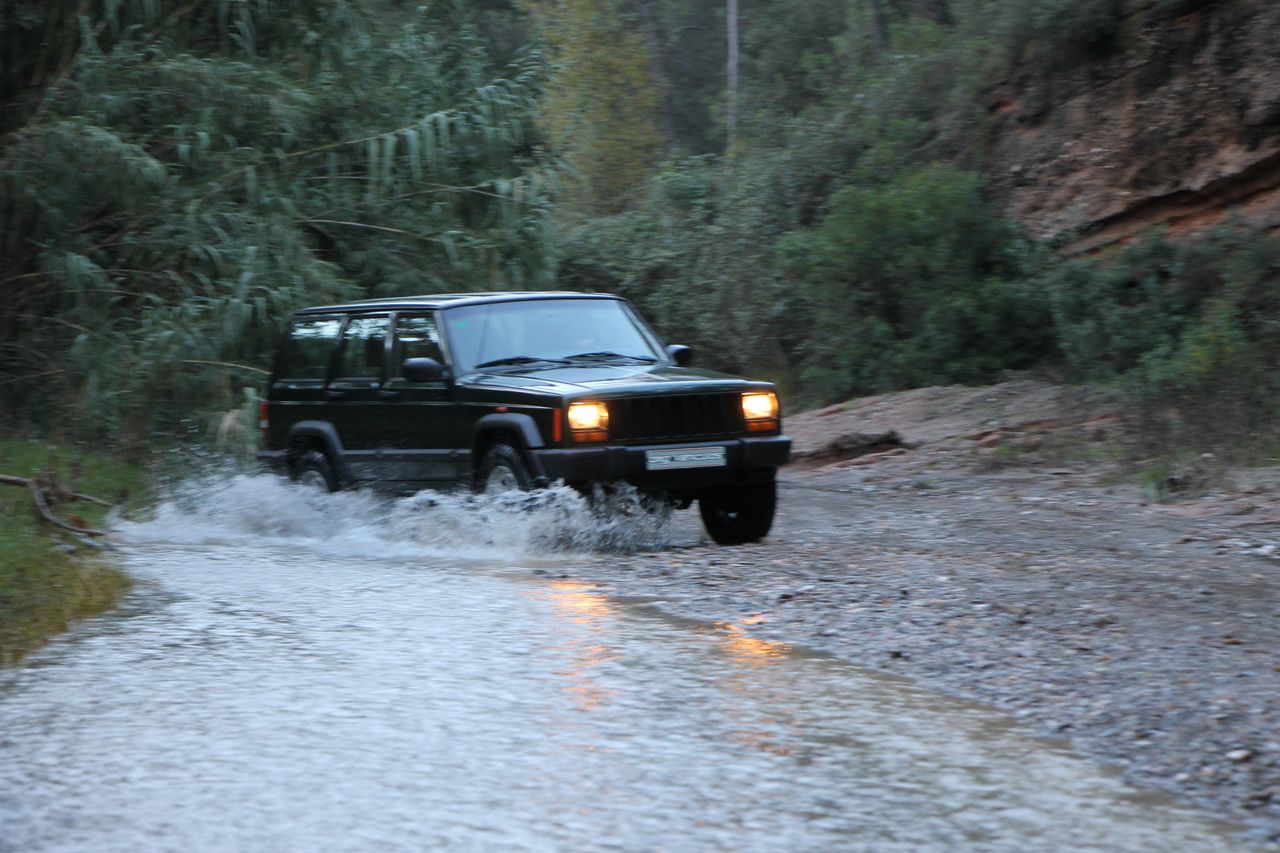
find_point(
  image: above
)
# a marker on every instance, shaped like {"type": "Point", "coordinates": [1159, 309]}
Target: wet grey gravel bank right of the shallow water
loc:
{"type": "Point", "coordinates": [1146, 638]}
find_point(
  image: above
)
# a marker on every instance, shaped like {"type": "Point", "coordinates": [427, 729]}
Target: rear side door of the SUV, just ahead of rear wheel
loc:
{"type": "Point", "coordinates": [354, 396]}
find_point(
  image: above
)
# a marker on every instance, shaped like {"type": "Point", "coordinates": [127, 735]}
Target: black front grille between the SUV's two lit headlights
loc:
{"type": "Point", "coordinates": [682, 418]}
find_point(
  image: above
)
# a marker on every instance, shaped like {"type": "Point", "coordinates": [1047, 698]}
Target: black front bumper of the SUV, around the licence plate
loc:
{"type": "Point", "coordinates": [747, 460]}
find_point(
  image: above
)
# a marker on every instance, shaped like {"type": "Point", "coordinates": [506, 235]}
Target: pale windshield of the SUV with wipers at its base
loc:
{"type": "Point", "coordinates": [555, 331]}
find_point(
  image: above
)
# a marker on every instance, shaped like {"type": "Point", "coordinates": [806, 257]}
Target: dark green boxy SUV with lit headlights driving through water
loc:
{"type": "Point", "coordinates": [516, 391]}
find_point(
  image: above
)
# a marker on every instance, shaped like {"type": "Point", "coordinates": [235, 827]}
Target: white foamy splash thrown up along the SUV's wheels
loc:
{"type": "Point", "coordinates": [235, 508]}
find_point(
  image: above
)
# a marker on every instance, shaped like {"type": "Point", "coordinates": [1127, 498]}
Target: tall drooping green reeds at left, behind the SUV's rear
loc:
{"type": "Point", "coordinates": [195, 172]}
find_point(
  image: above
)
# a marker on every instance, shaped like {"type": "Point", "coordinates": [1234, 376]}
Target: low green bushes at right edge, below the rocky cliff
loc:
{"type": "Point", "coordinates": [1192, 329]}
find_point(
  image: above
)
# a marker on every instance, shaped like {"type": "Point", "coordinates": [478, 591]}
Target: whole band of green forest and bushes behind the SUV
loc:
{"type": "Point", "coordinates": [798, 190]}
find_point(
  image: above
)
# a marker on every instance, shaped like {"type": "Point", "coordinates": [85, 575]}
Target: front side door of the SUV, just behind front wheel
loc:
{"type": "Point", "coordinates": [419, 445]}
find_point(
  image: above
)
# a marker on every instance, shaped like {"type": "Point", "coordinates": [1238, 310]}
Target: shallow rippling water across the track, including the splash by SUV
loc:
{"type": "Point", "coordinates": [300, 672]}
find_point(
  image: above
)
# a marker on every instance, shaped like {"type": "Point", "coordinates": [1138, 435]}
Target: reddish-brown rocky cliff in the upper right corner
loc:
{"type": "Point", "coordinates": [1176, 126]}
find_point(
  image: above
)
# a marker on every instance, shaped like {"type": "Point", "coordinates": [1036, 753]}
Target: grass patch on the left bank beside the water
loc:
{"type": "Point", "coordinates": [45, 587]}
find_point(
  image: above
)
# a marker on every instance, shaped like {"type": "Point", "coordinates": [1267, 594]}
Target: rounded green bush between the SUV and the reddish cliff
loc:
{"type": "Point", "coordinates": [916, 281]}
